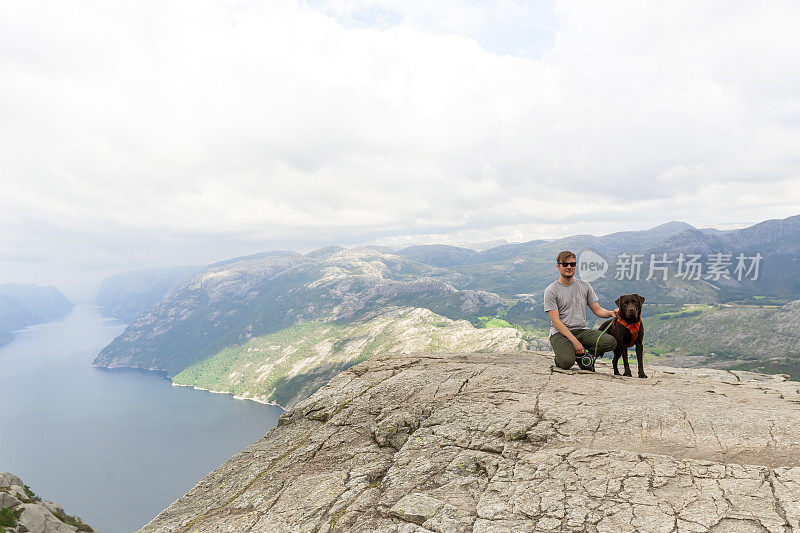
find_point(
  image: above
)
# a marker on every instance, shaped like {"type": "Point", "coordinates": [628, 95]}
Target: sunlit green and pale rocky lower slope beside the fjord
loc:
{"type": "Point", "coordinates": [292, 363]}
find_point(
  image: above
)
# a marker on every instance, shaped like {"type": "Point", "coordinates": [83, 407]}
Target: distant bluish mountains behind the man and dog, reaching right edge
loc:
{"type": "Point", "coordinates": [528, 269]}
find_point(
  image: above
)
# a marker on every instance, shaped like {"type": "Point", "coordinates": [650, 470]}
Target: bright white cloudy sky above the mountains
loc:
{"type": "Point", "coordinates": [138, 134]}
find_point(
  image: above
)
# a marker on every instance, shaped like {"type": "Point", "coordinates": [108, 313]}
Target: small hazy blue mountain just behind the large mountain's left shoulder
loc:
{"type": "Point", "coordinates": [125, 296]}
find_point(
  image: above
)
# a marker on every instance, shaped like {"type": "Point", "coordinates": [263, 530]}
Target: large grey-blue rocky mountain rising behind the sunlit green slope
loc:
{"type": "Point", "coordinates": [227, 306]}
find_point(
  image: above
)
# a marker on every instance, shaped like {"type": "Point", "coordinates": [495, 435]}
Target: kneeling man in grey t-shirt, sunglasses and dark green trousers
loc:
{"type": "Point", "coordinates": [565, 300]}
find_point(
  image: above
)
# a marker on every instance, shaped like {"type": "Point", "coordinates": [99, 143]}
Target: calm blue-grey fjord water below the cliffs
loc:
{"type": "Point", "coordinates": [114, 447]}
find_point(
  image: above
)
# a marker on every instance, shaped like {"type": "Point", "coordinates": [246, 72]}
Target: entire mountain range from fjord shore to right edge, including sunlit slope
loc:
{"type": "Point", "coordinates": [245, 325]}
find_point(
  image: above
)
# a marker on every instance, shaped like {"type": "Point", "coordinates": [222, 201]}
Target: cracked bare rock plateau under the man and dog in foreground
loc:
{"type": "Point", "coordinates": [505, 443]}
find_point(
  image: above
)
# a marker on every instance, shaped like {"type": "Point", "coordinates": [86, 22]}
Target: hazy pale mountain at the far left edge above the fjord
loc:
{"type": "Point", "coordinates": [26, 304]}
